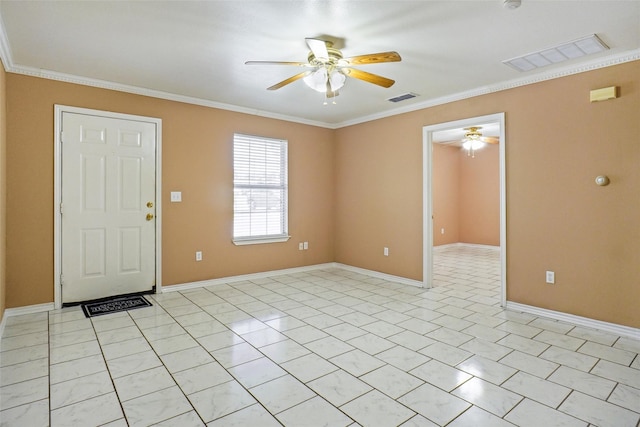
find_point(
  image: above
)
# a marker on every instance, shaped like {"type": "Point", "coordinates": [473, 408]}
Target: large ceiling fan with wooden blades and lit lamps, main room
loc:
{"type": "Point", "coordinates": [326, 69]}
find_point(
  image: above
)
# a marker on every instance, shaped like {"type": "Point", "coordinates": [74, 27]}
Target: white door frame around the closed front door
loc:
{"type": "Point", "coordinates": [57, 191]}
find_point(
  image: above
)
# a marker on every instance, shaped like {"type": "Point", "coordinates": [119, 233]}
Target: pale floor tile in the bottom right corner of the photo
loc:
{"type": "Point", "coordinates": [598, 412]}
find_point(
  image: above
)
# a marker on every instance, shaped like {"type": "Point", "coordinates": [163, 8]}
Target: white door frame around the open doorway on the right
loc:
{"type": "Point", "coordinates": [427, 217]}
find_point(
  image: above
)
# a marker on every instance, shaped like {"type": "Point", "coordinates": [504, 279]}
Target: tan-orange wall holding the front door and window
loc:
{"type": "Point", "coordinates": [196, 159]}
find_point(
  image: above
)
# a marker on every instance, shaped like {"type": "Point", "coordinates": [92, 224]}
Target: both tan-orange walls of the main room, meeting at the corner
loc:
{"type": "Point", "coordinates": [359, 188]}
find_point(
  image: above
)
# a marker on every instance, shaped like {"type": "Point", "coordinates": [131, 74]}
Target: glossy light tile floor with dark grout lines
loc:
{"type": "Point", "coordinates": [327, 347]}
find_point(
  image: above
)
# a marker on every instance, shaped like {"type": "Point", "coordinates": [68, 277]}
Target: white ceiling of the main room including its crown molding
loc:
{"type": "Point", "coordinates": [195, 51]}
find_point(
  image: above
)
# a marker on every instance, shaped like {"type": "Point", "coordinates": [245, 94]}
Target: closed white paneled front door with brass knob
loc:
{"type": "Point", "coordinates": [108, 206]}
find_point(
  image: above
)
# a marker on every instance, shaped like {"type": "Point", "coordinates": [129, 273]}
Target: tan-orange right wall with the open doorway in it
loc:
{"type": "Point", "coordinates": [557, 142]}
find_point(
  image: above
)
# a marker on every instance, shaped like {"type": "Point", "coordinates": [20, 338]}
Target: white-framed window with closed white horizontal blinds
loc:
{"type": "Point", "coordinates": [259, 190]}
